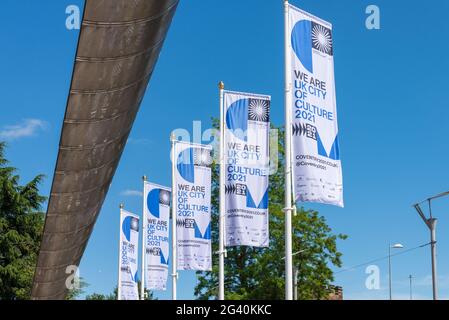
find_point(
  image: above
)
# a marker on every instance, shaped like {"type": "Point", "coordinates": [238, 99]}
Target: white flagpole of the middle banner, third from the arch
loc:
{"type": "Point", "coordinates": [173, 219]}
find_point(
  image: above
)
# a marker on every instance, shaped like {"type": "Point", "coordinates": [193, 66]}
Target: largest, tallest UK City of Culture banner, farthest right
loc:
{"type": "Point", "coordinates": [317, 173]}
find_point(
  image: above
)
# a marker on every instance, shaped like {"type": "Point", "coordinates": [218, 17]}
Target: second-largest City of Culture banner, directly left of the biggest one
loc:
{"type": "Point", "coordinates": [246, 134]}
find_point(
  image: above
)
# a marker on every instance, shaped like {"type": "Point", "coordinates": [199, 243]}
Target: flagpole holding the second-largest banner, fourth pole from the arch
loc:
{"type": "Point", "coordinates": [221, 249]}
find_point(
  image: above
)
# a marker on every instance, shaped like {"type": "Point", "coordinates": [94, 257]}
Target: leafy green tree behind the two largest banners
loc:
{"type": "Point", "coordinates": [258, 273]}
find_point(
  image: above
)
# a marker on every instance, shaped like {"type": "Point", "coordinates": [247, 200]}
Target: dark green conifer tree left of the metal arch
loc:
{"type": "Point", "coordinates": [21, 225]}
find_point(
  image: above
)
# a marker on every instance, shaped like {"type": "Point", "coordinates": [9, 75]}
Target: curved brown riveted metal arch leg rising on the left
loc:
{"type": "Point", "coordinates": [119, 44]}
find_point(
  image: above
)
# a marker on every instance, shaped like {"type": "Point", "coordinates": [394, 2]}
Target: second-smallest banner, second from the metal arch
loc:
{"type": "Point", "coordinates": [157, 217]}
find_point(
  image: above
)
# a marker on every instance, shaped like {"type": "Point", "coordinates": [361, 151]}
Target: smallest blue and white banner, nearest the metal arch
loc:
{"type": "Point", "coordinates": [129, 245]}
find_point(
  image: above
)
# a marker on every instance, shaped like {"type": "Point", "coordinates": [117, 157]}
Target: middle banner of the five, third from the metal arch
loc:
{"type": "Point", "coordinates": [193, 207]}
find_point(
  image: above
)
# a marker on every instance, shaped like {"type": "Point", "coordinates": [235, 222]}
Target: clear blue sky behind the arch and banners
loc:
{"type": "Point", "coordinates": [392, 109]}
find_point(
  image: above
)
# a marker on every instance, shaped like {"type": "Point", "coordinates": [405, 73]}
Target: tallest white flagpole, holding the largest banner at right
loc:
{"type": "Point", "coordinates": [288, 178]}
